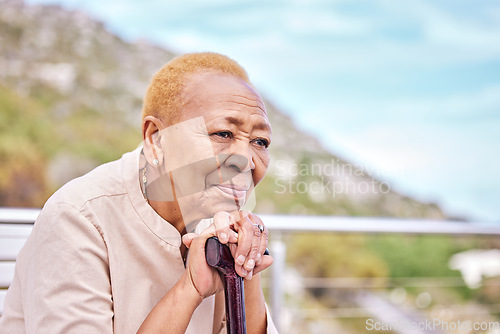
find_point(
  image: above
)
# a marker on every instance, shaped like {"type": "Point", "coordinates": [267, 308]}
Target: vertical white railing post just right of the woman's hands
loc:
{"type": "Point", "coordinates": [278, 251]}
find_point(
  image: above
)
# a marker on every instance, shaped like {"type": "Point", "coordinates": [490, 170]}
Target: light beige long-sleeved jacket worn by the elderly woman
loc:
{"type": "Point", "coordinates": [98, 260]}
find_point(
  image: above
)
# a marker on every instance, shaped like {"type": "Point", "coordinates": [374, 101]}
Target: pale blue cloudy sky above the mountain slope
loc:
{"type": "Point", "coordinates": [409, 90]}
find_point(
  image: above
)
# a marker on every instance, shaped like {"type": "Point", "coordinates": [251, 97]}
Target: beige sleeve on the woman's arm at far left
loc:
{"type": "Point", "coordinates": [66, 280]}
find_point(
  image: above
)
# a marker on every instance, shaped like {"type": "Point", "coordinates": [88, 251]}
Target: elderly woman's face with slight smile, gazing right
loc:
{"type": "Point", "coordinates": [218, 150]}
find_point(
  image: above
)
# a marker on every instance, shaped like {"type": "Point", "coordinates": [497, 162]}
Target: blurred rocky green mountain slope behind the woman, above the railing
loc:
{"type": "Point", "coordinates": [88, 85]}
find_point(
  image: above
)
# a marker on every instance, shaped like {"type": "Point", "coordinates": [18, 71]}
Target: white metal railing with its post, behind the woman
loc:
{"type": "Point", "coordinates": [278, 225]}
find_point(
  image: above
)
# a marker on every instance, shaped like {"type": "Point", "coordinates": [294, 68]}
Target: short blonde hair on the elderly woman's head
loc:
{"type": "Point", "coordinates": [162, 99]}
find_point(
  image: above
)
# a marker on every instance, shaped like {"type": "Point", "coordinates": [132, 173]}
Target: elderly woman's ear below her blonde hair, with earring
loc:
{"type": "Point", "coordinates": [151, 135]}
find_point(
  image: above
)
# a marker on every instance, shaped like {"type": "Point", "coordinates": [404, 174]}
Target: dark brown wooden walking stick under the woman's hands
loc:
{"type": "Point", "coordinates": [219, 256]}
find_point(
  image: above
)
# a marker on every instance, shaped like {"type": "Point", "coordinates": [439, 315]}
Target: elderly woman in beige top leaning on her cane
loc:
{"type": "Point", "coordinates": [121, 249]}
